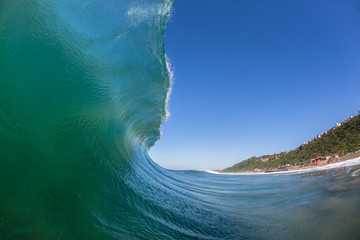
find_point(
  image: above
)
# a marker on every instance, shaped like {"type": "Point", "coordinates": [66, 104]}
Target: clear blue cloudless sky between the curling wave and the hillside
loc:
{"type": "Point", "coordinates": [256, 77]}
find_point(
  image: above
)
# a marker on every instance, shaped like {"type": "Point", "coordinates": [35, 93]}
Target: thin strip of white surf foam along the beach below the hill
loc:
{"type": "Point", "coordinates": [344, 163]}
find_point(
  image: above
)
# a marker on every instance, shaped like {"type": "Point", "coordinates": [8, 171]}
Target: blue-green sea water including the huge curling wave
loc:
{"type": "Point", "coordinates": [83, 91]}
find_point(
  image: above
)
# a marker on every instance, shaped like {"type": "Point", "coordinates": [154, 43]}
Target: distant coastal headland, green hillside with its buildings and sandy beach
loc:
{"type": "Point", "coordinates": [337, 144]}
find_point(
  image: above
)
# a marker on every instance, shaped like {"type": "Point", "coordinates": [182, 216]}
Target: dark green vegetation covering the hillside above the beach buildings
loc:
{"type": "Point", "coordinates": [342, 139]}
